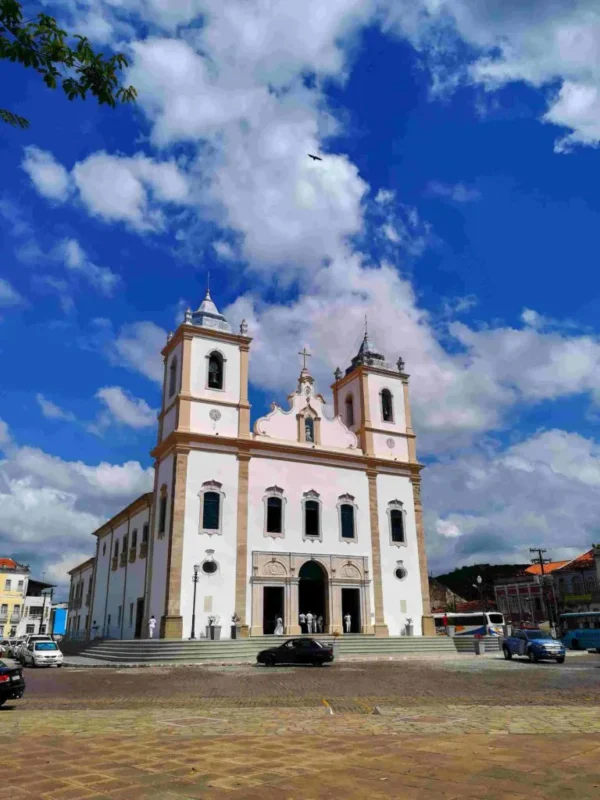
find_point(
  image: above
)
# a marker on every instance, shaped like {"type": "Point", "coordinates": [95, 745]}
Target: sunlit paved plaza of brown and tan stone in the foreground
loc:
{"type": "Point", "coordinates": [462, 727]}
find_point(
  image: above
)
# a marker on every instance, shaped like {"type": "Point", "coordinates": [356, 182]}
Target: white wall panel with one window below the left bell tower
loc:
{"type": "Point", "coordinates": [215, 593]}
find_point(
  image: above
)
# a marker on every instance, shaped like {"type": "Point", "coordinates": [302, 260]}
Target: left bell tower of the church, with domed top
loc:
{"type": "Point", "coordinates": [205, 388]}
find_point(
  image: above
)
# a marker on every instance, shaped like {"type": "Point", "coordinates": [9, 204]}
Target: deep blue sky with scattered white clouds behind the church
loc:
{"type": "Point", "coordinates": [456, 205]}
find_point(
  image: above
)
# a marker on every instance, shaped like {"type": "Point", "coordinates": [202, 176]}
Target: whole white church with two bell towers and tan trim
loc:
{"type": "Point", "coordinates": [308, 512]}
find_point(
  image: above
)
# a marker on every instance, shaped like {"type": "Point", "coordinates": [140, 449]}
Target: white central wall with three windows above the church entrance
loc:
{"type": "Point", "coordinates": [295, 478]}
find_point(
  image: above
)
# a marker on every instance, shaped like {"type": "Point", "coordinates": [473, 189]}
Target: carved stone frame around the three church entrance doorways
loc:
{"type": "Point", "coordinates": [282, 569]}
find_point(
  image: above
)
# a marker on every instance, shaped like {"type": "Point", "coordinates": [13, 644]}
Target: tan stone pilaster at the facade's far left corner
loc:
{"type": "Point", "coordinates": [171, 624]}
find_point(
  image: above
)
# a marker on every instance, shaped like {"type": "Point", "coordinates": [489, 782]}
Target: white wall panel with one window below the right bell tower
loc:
{"type": "Point", "coordinates": [408, 590]}
